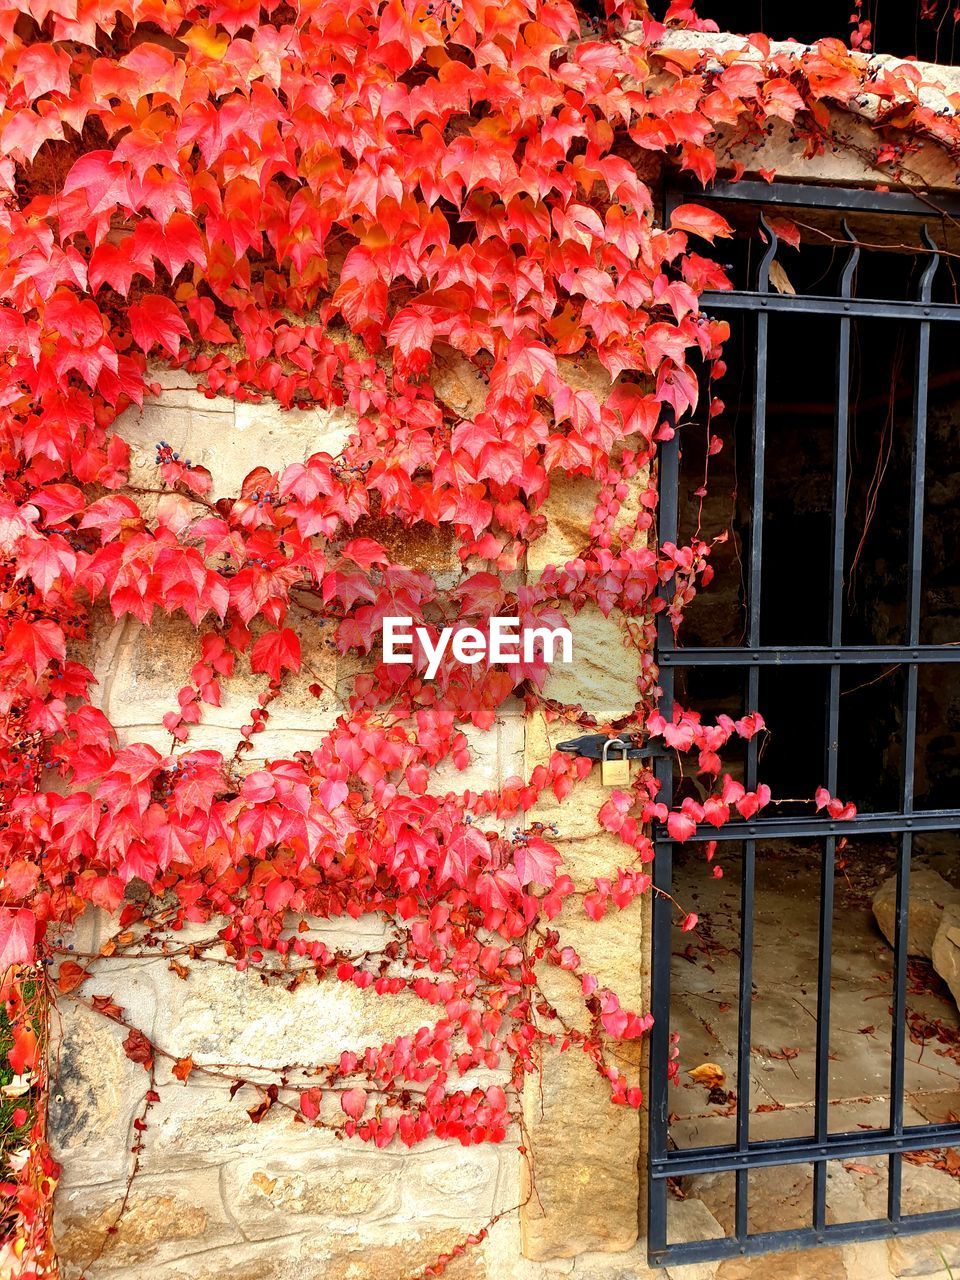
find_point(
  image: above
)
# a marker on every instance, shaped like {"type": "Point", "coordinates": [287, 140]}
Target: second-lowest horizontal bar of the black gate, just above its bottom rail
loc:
{"type": "Point", "coordinates": [802, 1151]}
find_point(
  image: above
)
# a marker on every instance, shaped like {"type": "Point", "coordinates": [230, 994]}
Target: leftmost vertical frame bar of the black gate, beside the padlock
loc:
{"type": "Point", "coordinates": [662, 875]}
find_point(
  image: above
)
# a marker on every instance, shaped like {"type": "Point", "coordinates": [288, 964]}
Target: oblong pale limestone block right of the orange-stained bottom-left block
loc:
{"type": "Point", "coordinates": [284, 1195]}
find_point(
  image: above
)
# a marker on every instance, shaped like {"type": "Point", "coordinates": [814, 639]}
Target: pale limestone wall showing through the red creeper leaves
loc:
{"type": "Point", "coordinates": [220, 1196]}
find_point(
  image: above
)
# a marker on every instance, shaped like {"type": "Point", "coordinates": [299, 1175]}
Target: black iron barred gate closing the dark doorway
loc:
{"type": "Point", "coordinates": [744, 1155]}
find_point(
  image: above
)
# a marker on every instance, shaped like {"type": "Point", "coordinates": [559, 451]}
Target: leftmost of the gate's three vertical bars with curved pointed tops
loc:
{"type": "Point", "coordinates": [753, 692]}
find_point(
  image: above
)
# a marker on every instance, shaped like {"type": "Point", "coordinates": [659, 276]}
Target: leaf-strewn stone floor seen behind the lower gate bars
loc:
{"type": "Point", "coordinates": [784, 1036]}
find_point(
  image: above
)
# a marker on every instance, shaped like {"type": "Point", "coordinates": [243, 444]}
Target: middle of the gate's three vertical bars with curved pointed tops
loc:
{"type": "Point", "coordinates": [833, 746]}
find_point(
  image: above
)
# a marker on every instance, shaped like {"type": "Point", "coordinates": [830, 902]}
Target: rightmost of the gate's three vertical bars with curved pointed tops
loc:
{"type": "Point", "coordinates": [918, 472]}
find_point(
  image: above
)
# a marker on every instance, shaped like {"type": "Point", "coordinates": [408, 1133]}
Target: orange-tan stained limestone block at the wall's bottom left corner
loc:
{"type": "Point", "coordinates": [162, 1220]}
